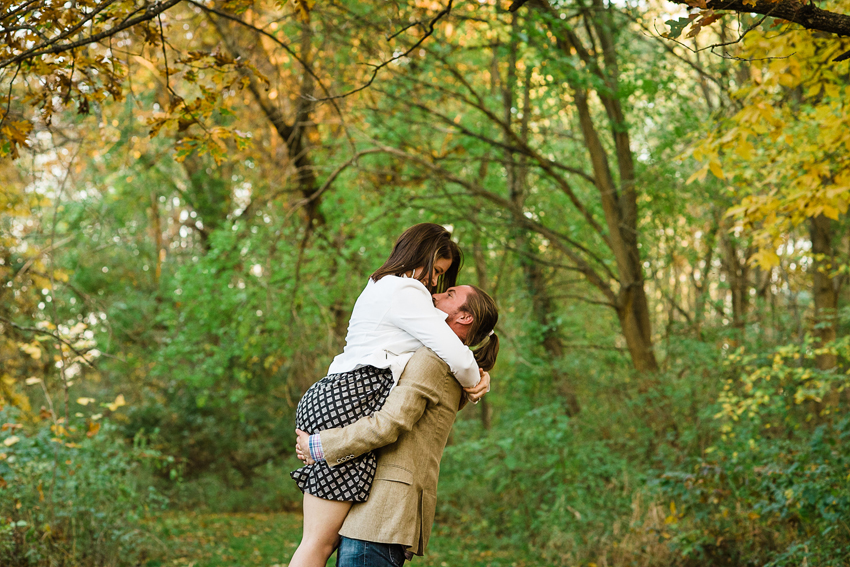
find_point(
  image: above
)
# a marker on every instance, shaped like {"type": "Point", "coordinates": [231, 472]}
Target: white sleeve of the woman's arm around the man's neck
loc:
{"type": "Point", "coordinates": [413, 311]}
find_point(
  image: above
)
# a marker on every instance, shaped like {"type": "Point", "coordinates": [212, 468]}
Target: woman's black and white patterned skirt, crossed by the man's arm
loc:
{"type": "Point", "coordinates": [338, 400]}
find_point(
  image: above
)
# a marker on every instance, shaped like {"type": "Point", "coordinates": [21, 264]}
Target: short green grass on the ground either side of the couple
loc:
{"type": "Point", "coordinates": [268, 540]}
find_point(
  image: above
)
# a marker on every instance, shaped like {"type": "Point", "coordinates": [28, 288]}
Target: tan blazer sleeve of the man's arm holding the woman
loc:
{"type": "Point", "coordinates": [420, 384]}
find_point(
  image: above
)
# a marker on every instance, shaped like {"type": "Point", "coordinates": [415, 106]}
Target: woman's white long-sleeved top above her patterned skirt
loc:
{"type": "Point", "coordinates": [392, 318]}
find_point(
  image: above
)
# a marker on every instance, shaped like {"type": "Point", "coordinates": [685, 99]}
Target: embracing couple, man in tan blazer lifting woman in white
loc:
{"type": "Point", "coordinates": [372, 432]}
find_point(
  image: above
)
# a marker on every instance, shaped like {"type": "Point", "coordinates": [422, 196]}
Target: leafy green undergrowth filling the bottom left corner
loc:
{"type": "Point", "coordinates": [69, 503]}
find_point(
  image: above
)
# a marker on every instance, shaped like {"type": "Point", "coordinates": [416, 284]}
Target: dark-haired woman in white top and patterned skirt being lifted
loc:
{"type": "Point", "coordinates": [393, 317]}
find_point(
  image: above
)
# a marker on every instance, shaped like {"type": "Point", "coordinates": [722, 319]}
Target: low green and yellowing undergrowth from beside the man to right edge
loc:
{"type": "Point", "coordinates": [688, 472]}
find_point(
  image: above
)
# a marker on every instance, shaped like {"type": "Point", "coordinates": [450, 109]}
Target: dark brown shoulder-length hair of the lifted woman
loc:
{"type": "Point", "coordinates": [420, 246]}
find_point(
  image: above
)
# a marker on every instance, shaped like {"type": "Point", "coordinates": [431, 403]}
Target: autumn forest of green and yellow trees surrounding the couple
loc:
{"type": "Point", "coordinates": [194, 193]}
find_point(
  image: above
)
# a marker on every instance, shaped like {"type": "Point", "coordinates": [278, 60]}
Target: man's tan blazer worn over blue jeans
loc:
{"type": "Point", "coordinates": [411, 430]}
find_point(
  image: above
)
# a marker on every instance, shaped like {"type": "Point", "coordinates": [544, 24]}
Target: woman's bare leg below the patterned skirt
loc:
{"type": "Point", "coordinates": [322, 522]}
